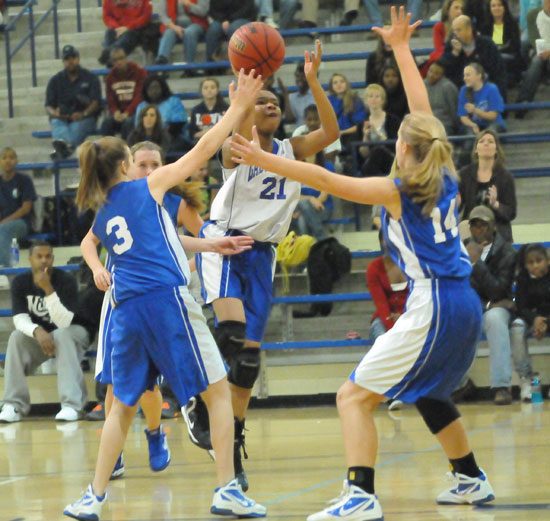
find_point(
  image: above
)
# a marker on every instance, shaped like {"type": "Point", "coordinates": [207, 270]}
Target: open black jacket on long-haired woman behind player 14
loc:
{"type": "Point", "coordinates": [506, 193]}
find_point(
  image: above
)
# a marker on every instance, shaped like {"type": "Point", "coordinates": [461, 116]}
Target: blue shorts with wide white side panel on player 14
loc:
{"type": "Point", "coordinates": [431, 346]}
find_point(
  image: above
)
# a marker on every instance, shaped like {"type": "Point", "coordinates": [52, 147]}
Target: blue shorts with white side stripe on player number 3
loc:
{"type": "Point", "coordinates": [162, 333]}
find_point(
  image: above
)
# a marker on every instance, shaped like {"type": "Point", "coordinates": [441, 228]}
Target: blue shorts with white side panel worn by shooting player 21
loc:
{"type": "Point", "coordinates": [247, 277]}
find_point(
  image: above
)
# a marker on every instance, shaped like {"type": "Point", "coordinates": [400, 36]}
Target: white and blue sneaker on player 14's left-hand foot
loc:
{"type": "Point", "coordinates": [354, 505]}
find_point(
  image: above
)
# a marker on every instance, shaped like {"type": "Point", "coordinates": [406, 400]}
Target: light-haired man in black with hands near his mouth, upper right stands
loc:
{"type": "Point", "coordinates": [467, 47]}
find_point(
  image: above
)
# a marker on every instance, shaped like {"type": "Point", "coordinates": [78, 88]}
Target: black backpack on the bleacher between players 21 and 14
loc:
{"type": "Point", "coordinates": [328, 260]}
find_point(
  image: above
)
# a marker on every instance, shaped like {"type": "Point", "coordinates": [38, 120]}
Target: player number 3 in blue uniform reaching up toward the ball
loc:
{"type": "Point", "coordinates": [157, 327]}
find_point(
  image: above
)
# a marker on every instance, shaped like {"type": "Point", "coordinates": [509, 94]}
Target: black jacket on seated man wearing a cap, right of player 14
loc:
{"type": "Point", "coordinates": [493, 278]}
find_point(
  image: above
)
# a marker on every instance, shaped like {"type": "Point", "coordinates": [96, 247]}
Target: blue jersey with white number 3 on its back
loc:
{"type": "Point", "coordinates": [142, 241]}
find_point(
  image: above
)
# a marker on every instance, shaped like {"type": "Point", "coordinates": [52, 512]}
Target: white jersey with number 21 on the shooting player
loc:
{"type": "Point", "coordinates": [256, 202]}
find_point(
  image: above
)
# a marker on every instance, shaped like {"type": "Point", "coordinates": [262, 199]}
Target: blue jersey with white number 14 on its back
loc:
{"type": "Point", "coordinates": [428, 247]}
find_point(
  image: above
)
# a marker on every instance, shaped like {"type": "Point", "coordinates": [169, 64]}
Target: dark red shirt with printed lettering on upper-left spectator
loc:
{"type": "Point", "coordinates": [124, 89]}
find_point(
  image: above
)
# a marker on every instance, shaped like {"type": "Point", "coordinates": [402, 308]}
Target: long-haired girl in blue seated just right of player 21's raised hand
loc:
{"type": "Point", "coordinates": [349, 109]}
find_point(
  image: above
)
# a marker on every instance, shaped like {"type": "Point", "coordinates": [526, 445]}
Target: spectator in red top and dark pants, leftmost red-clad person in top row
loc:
{"type": "Point", "coordinates": [125, 21]}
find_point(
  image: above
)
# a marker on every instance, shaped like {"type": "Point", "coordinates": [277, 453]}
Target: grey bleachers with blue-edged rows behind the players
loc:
{"type": "Point", "coordinates": [289, 368]}
